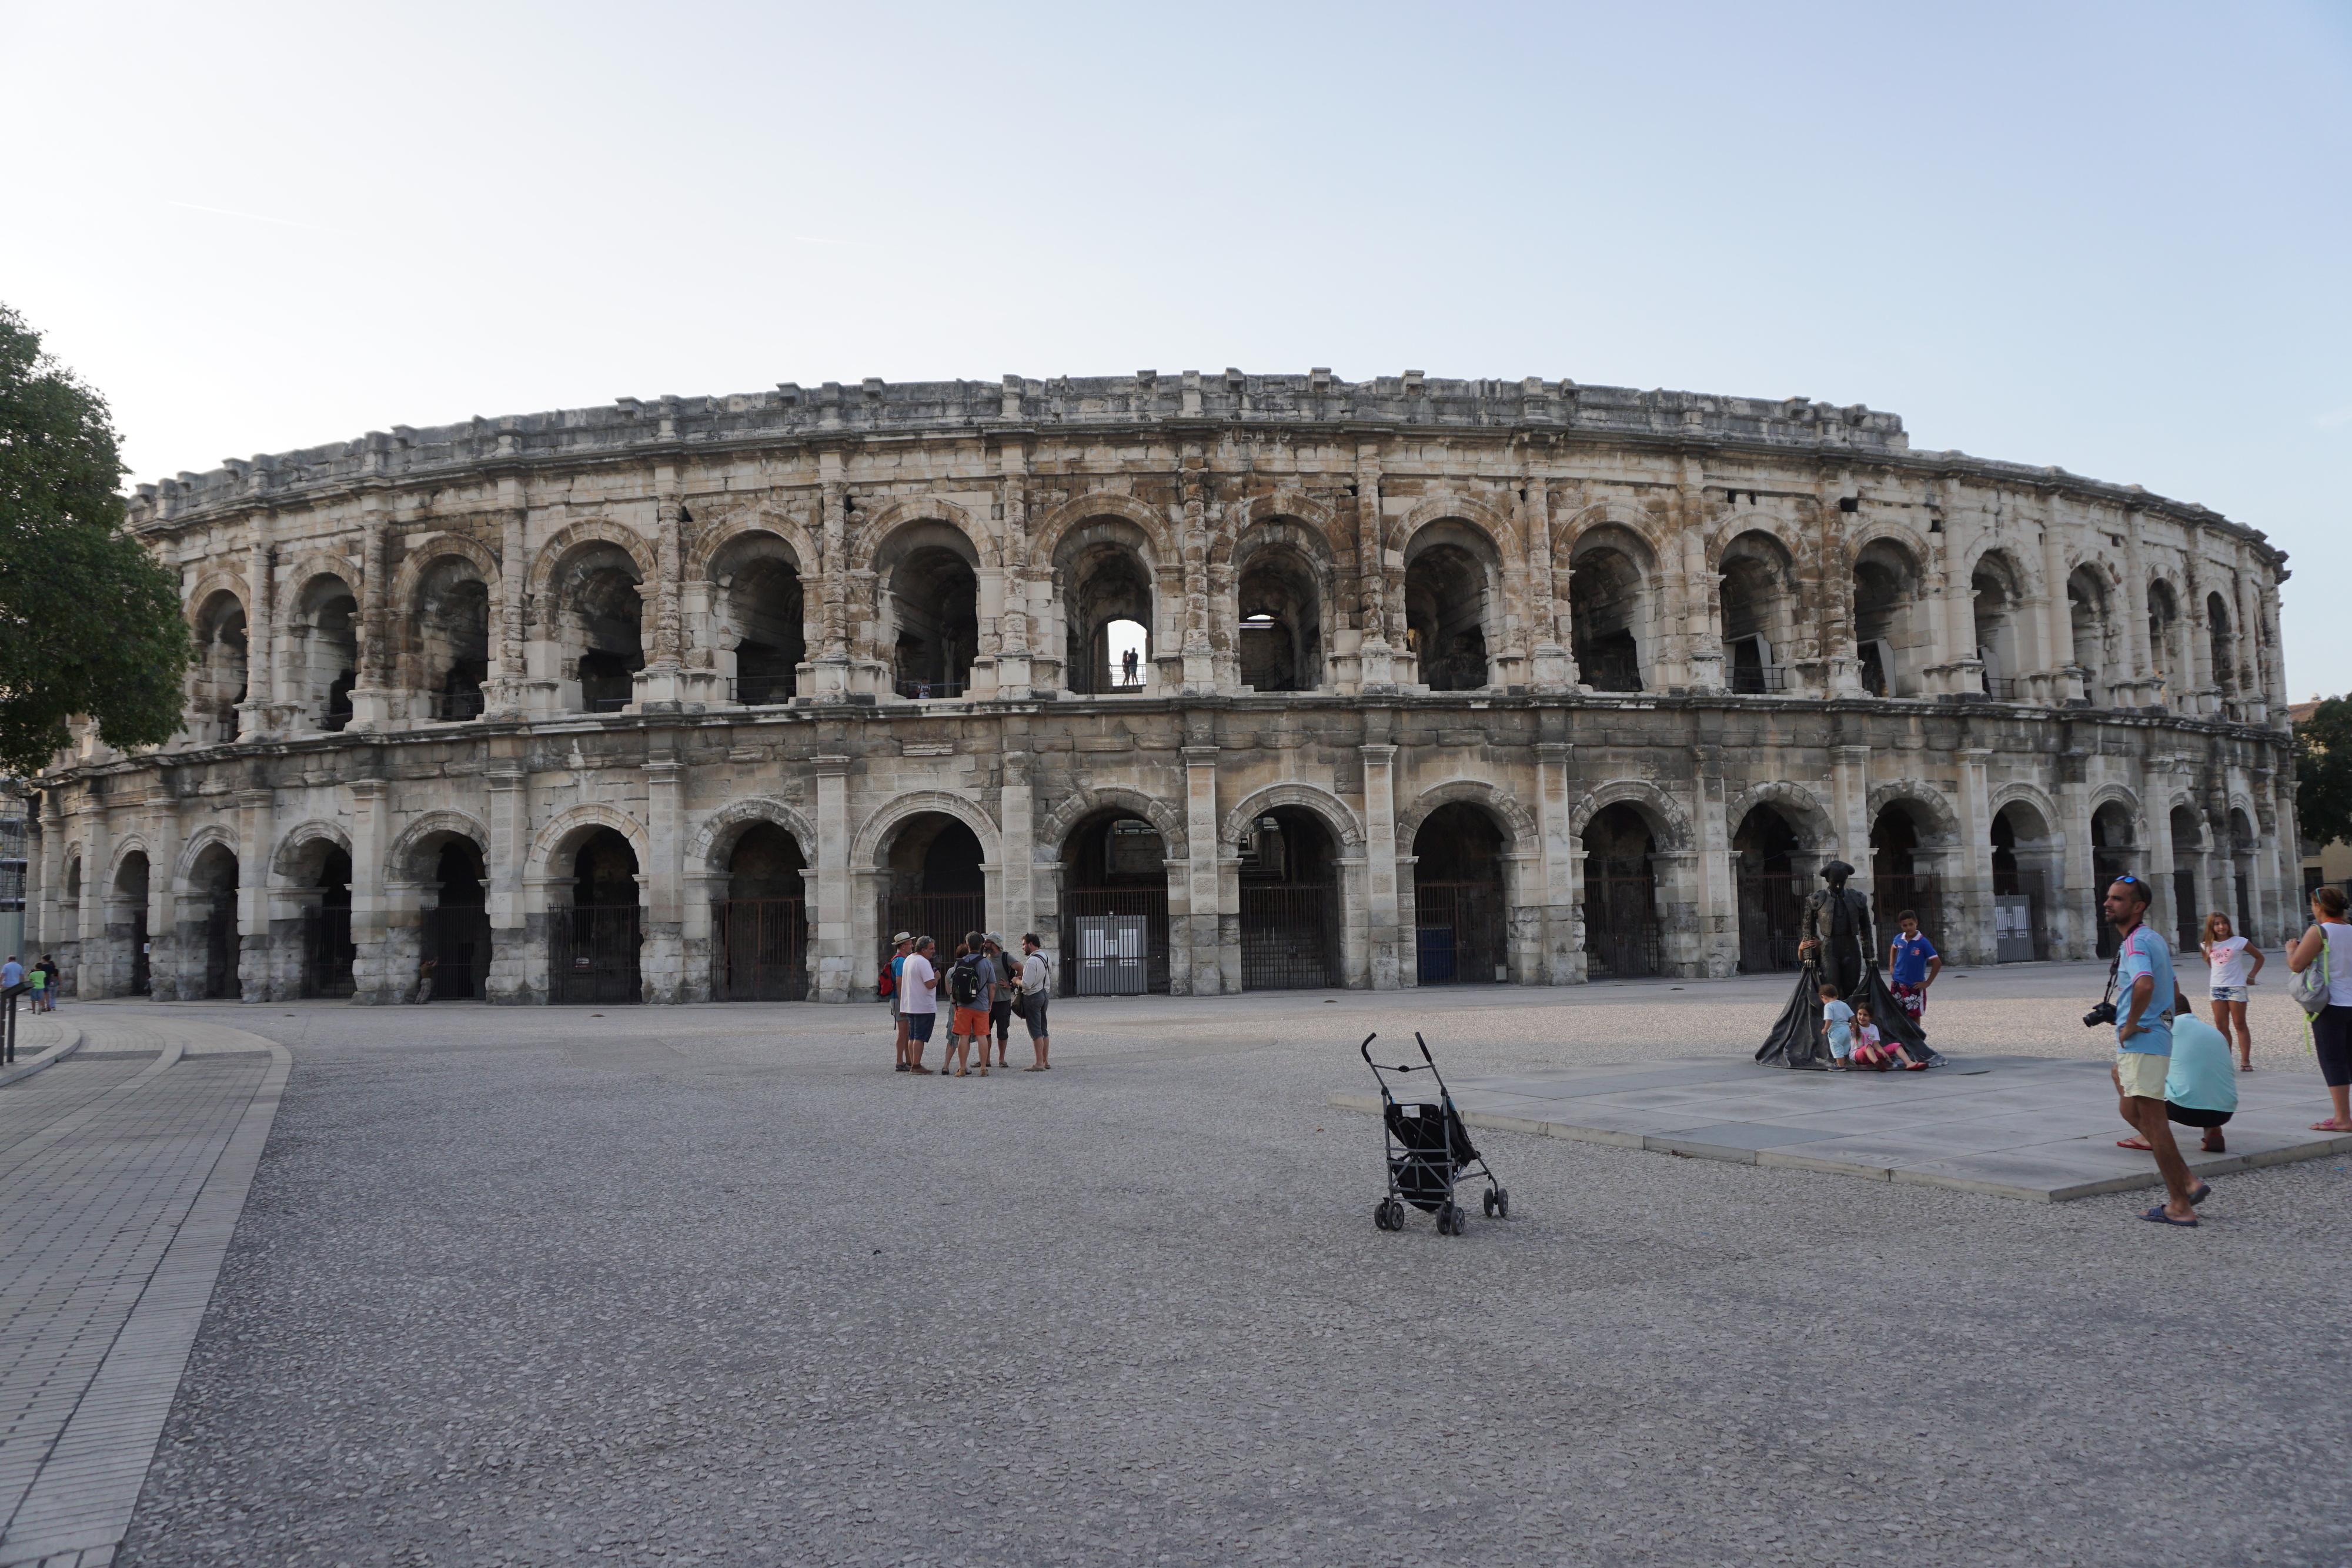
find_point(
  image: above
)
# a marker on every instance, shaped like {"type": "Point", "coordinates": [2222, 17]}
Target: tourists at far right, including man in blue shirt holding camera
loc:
{"type": "Point", "coordinates": [2172, 1066]}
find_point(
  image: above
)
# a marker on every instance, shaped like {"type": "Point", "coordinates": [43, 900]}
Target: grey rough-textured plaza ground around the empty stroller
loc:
{"type": "Point", "coordinates": [714, 1287]}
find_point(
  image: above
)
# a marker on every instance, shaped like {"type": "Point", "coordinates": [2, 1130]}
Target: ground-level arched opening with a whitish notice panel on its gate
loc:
{"type": "Point", "coordinates": [1114, 906]}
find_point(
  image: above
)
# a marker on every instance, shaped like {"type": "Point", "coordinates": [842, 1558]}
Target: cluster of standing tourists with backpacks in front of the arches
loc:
{"type": "Point", "coordinates": [984, 991]}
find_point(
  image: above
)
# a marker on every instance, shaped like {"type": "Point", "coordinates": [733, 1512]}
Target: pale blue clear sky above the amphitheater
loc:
{"type": "Point", "coordinates": [2102, 236]}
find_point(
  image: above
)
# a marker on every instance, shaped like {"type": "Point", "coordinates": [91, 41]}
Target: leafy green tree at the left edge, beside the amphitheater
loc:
{"type": "Point", "coordinates": [88, 619]}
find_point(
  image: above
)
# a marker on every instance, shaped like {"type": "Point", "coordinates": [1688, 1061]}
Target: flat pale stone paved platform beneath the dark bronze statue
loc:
{"type": "Point", "coordinates": [2024, 1127]}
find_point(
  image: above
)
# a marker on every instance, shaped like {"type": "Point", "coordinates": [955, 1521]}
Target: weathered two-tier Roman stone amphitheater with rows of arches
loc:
{"type": "Point", "coordinates": [1220, 683]}
